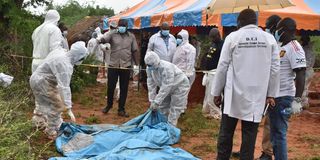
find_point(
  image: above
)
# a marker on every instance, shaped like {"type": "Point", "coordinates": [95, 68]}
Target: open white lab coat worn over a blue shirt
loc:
{"type": "Point", "coordinates": [157, 45]}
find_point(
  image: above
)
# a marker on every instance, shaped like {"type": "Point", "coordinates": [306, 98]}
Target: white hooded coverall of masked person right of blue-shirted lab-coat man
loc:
{"type": "Point", "coordinates": [185, 55]}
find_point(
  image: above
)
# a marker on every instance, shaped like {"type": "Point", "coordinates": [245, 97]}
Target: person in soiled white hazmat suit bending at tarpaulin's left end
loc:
{"type": "Point", "coordinates": [50, 84]}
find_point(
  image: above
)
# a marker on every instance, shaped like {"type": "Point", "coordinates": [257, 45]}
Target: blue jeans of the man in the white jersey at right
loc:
{"type": "Point", "coordinates": [279, 117]}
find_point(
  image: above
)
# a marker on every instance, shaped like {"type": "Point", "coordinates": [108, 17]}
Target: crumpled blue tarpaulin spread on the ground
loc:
{"type": "Point", "coordinates": [147, 136]}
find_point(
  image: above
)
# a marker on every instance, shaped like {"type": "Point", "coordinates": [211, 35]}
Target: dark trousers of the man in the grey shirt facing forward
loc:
{"type": "Point", "coordinates": [124, 76]}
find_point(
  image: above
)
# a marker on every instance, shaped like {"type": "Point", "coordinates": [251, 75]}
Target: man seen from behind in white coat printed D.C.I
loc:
{"type": "Point", "coordinates": [248, 75]}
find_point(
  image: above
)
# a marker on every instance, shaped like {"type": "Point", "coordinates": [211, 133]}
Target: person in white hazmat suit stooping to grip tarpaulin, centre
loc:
{"type": "Point", "coordinates": [172, 97]}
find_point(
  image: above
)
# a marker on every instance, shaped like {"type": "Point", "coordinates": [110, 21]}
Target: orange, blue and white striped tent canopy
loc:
{"type": "Point", "coordinates": [151, 13]}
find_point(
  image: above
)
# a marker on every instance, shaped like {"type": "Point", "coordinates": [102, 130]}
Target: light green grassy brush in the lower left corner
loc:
{"type": "Point", "coordinates": [18, 139]}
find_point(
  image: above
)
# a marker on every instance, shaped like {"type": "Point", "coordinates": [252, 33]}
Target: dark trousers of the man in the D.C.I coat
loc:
{"type": "Point", "coordinates": [225, 140]}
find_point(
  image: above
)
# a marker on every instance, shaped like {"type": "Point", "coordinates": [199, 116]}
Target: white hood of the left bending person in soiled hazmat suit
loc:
{"type": "Point", "coordinates": [78, 53]}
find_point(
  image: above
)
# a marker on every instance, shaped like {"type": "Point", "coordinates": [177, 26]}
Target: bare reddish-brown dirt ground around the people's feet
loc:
{"type": "Point", "coordinates": [303, 135]}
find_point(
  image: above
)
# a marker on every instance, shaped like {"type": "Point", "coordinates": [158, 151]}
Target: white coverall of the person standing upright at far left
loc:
{"type": "Point", "coordinates": [46, 38]}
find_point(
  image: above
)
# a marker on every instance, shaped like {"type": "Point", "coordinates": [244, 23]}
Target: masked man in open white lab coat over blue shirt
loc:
{"type": "Point", "coordinates": [163, 43]}
